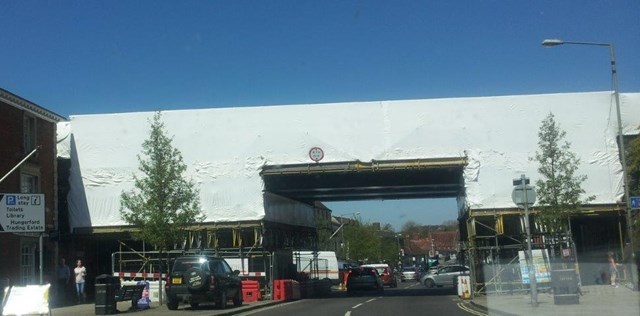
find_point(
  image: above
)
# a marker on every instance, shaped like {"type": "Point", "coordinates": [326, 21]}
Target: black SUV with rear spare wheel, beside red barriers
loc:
{"type": "Point", "coordinates": [202, 279]}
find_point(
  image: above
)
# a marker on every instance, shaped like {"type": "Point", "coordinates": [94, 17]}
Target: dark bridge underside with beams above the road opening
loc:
{"type": "Point", "coordinates": [355, 180]}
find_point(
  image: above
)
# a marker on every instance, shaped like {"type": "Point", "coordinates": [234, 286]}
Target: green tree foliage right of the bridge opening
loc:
{"type": "Point", "coordinates": [560, 188]}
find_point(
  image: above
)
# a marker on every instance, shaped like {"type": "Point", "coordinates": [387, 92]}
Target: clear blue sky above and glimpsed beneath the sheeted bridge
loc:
{"type": "Point", "coordinates": [83, 57]}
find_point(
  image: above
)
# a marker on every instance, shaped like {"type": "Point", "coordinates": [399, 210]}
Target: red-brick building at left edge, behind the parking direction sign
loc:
{"type": "Point", "coordinates": [25, 127]}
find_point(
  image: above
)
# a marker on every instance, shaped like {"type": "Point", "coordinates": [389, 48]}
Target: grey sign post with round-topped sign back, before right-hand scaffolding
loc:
{"type": "Point", "coordinates": [525, 196]}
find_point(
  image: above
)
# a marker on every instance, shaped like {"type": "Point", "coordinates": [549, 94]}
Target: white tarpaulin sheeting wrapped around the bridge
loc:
{"type": "Point", "coordinates": [225, 148]}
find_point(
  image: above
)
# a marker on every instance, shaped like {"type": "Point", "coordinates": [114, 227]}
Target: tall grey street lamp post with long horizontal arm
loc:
{"type": "Point", "coordinates": [621, 147]}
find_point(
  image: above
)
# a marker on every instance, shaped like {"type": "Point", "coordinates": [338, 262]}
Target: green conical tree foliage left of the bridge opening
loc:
{"type": "Point", "coordinates": [163, 204]}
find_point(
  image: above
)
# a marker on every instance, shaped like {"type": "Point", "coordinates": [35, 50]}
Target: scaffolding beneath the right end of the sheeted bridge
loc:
{"type": "Point", "coordinates": [496, 242]}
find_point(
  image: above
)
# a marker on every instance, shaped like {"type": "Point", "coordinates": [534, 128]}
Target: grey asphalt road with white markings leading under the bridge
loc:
{"type": "Point", "coordinates": [410, 298]}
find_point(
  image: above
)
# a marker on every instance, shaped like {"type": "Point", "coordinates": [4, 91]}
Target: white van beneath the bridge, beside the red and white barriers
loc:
{"type": "Point", "coordinates": [324, 266]}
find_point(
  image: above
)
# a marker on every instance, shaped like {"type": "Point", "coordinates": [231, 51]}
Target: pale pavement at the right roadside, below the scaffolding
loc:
{"type": "Point", "coordinates": [595, 300]}
